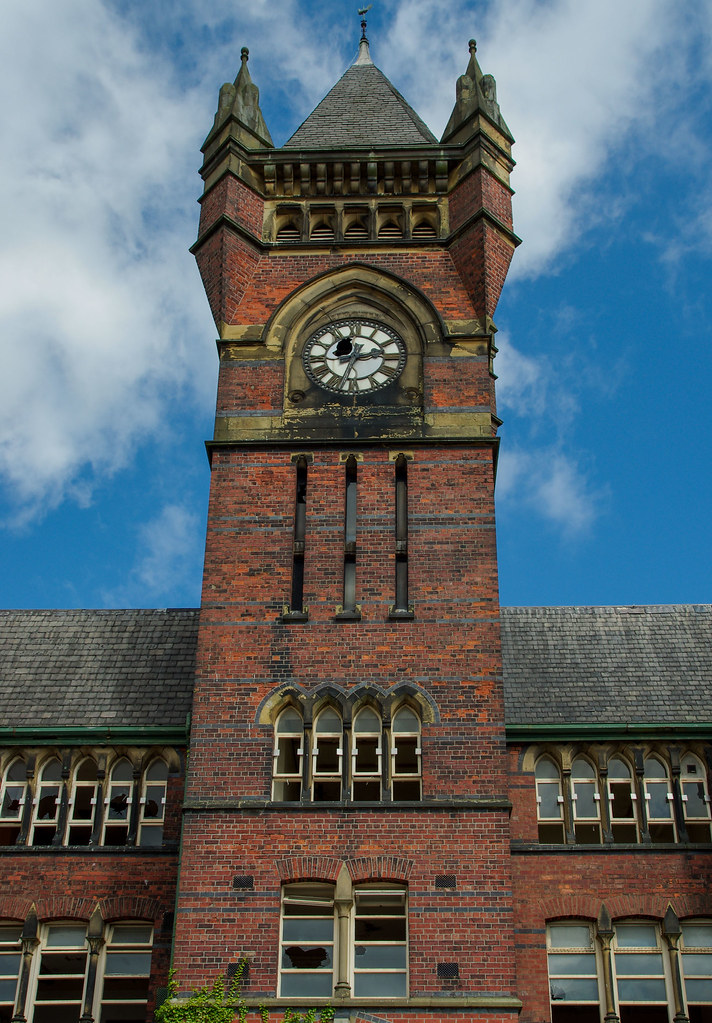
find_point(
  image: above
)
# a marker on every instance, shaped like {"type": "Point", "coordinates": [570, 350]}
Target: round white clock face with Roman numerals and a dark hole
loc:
{"type": "Point", "coordinates": [354, 357]}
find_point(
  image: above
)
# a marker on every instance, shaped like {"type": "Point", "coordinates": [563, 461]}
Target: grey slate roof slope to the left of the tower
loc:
{"type": "Point", "coordinates": [96, 669]}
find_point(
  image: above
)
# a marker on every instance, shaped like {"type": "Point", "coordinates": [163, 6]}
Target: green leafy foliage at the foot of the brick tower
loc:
{"type": "Point", "coordinates": [221, 1003]}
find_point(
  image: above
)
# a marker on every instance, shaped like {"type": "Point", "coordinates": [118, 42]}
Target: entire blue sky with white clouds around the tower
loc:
{"type": "Point", "coordinates": [108, 360]}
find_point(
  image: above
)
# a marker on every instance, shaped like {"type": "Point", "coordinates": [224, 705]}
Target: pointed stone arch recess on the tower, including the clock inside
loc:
{"type": "Point", "coordinates": [353, 342]}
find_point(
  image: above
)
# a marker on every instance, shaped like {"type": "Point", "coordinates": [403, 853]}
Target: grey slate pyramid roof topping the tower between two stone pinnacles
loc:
{"type": "Point", "coordinates": [363, 110]}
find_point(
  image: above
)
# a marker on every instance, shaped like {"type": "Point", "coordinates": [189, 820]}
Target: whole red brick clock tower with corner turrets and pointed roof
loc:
{"type": "Point", "coordinates": [347, 822]}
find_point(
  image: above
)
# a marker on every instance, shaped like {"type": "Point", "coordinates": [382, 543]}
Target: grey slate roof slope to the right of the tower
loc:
{"type": "Point", "coordinates": [651, 665]}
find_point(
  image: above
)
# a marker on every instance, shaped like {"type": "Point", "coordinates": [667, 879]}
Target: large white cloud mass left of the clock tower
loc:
{"type": "Point", "coordinates": [101, 310]}
